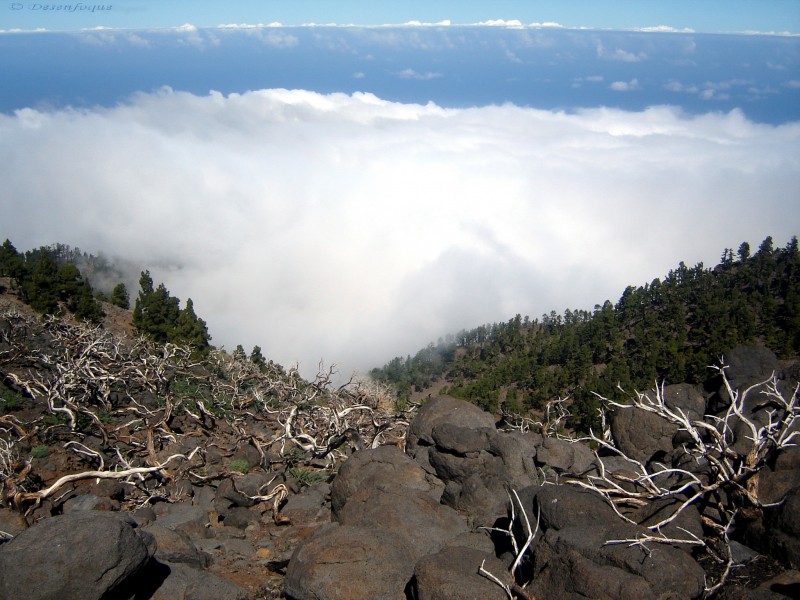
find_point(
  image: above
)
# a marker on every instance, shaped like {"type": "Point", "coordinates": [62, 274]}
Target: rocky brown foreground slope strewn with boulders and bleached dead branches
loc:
{"type": "Point", "coordinates": [135, 471]}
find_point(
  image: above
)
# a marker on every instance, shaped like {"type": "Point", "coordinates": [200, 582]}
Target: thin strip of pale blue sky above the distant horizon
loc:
{"type": "Point", "coordinates": [702, 16]}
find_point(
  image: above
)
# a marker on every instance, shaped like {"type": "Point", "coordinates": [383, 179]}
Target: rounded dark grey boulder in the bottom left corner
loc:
{"type": "Point", "coordinates": [84, 555]}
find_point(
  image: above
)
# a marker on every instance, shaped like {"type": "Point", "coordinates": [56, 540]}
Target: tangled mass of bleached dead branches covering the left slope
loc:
{"type": "Point", "coordinates": [149, 403]}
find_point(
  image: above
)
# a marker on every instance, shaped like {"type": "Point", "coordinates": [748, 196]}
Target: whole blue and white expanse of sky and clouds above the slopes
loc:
{"type": "Point", "coordinates": [352, 194]}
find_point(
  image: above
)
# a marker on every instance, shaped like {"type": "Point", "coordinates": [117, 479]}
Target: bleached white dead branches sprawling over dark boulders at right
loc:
{"type": "Point", "coordinates": [719, 457]}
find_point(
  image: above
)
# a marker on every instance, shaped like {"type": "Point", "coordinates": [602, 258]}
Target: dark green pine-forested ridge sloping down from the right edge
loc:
{"type": "Point", "coordinates": [670, 329]}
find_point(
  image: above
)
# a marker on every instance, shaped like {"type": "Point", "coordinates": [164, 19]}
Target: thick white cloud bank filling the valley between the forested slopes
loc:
{"type": "Point", "coordinates": [353, 229]}
